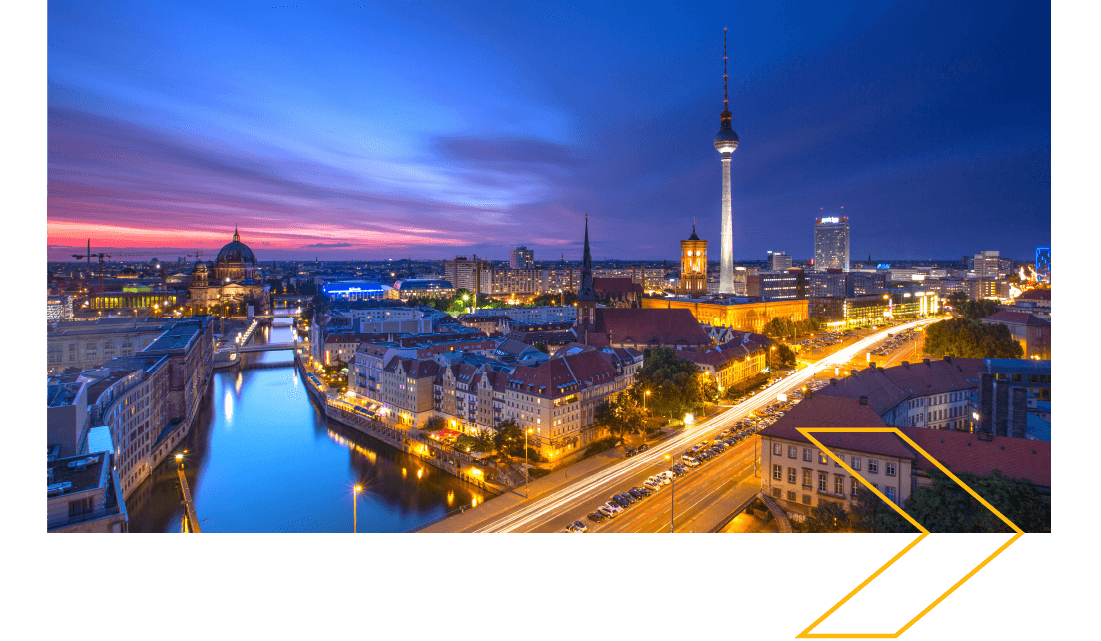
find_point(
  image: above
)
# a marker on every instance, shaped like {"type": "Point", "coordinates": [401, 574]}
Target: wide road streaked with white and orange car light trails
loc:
{"type": "Point", "coordinates": [554, 510]}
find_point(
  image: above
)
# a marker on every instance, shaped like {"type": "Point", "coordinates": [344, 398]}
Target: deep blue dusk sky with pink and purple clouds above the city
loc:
{"type": "Point", "coordinates": [433, 135]}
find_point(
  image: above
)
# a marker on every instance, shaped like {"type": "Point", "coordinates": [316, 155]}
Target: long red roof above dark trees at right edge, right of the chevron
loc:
{"type": "Point", "coordinates": [965, 452]}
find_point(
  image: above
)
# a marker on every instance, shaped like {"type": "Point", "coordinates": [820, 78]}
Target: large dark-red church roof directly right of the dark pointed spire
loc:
{"type": "Point", "coordinates": [667, 328]}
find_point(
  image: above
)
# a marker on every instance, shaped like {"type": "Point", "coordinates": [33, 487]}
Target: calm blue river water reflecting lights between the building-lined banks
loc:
{"type": "Point", "coordinates": [264, 459]}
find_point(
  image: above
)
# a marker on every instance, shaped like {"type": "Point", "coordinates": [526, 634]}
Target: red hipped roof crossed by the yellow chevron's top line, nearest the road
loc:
{"type": "Point", "coordinates": [827, 412]}
